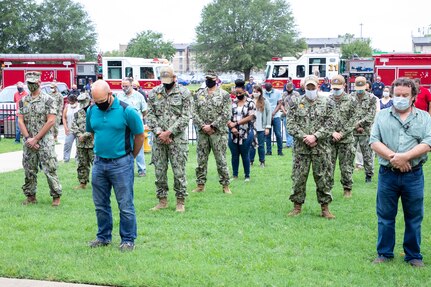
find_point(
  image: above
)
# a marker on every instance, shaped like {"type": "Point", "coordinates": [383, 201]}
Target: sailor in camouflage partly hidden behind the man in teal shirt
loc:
{"type": "Point", "coordinates": [85, 142]}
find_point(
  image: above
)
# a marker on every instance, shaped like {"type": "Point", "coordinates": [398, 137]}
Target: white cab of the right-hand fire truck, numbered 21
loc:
{"type": "Point", "coordinates": [321, 64]}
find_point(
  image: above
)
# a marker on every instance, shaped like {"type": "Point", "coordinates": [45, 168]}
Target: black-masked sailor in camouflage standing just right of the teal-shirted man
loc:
{"type": "Point", "coordinates": [169, 111]}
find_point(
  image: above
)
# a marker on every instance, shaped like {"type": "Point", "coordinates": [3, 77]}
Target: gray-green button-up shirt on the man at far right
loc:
{"type": "Point", "coordinates": [401, 136]}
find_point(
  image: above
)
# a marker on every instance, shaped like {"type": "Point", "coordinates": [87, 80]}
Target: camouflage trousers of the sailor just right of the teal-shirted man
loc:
{"type": "Point", "coordinates": [176, 153]}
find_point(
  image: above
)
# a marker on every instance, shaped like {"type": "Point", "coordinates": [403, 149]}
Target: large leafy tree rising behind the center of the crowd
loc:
{"type": "Point", "coordinates": [244, 34]}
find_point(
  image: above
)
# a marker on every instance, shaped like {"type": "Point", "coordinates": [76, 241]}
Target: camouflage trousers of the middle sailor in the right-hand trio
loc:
{"type": "Point", "coordinates": [345, 152]}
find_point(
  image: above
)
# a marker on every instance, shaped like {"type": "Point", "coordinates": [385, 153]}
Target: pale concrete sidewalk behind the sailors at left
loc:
{"type": "Point", "coordinates": [13, 160]}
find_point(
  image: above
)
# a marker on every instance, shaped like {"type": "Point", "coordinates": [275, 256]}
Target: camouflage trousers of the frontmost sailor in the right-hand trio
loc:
{"type": "Point", "coordinates": [322, 168]}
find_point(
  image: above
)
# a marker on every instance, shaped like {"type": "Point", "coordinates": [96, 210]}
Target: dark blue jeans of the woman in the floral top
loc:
{"type": "Point", "coordinates": [243, 150]}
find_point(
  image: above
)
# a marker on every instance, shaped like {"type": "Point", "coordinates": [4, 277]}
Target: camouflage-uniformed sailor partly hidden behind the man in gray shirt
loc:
{"type": "Point", "coordinates": [365, 113]}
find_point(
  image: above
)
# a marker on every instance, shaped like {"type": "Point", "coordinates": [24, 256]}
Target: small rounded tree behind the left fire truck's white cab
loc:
{"type": "Point", "coordinates": [150, 44]}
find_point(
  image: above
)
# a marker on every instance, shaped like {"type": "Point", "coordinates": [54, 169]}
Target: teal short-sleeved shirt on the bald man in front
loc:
{"type": "Point", "coordinates": [113, 129]}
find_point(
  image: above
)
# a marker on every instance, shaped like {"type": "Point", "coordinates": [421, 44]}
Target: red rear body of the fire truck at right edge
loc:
{"type": "Point", "coordinates": [392, 66]}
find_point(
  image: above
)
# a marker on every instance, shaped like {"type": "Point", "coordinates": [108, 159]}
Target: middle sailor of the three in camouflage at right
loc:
{"type": "Point", "coordinates": [342, 141]}
